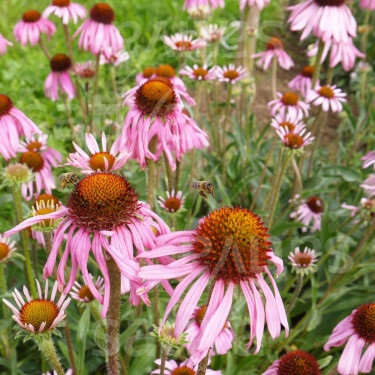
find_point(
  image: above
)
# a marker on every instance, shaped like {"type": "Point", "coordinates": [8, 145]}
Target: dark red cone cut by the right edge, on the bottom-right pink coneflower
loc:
{"type": "Point", "coordinates": [364, 322]}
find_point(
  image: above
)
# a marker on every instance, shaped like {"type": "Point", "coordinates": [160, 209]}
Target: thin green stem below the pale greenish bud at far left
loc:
{"type": "Point", "coordinates": [17, 197]}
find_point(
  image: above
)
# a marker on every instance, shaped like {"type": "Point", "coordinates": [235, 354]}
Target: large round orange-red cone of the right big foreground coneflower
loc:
{"type": "Point", "coordinates": [232, 243]}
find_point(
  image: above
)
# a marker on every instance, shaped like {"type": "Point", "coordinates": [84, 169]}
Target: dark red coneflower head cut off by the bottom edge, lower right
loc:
{"type": "Point", "coordinates": [296, 362]}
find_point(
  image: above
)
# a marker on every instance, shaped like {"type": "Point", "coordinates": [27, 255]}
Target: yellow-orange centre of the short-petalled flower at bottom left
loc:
{"type": "Point", "coordinates": [37, 312]}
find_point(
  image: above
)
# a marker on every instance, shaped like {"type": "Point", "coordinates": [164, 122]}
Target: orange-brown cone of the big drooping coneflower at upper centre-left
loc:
{"type": "Point", "coordinates": [156, 97]}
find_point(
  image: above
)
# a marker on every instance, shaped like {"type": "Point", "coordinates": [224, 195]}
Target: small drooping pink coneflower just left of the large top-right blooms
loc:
{"type": "Point", "coordinates": [274, 49]}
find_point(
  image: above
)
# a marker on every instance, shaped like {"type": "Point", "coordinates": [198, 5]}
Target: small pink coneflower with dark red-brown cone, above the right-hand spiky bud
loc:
{"type": "Point", "coordinates": [310, 209]}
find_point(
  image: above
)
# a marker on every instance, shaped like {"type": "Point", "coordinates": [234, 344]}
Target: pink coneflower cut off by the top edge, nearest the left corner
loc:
{"type": "Point", "coordinates": [66, 10]}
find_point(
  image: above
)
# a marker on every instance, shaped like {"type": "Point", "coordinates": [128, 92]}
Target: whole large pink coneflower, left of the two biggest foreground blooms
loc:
{"type": "Point", "coordinates": [101, 205]}
